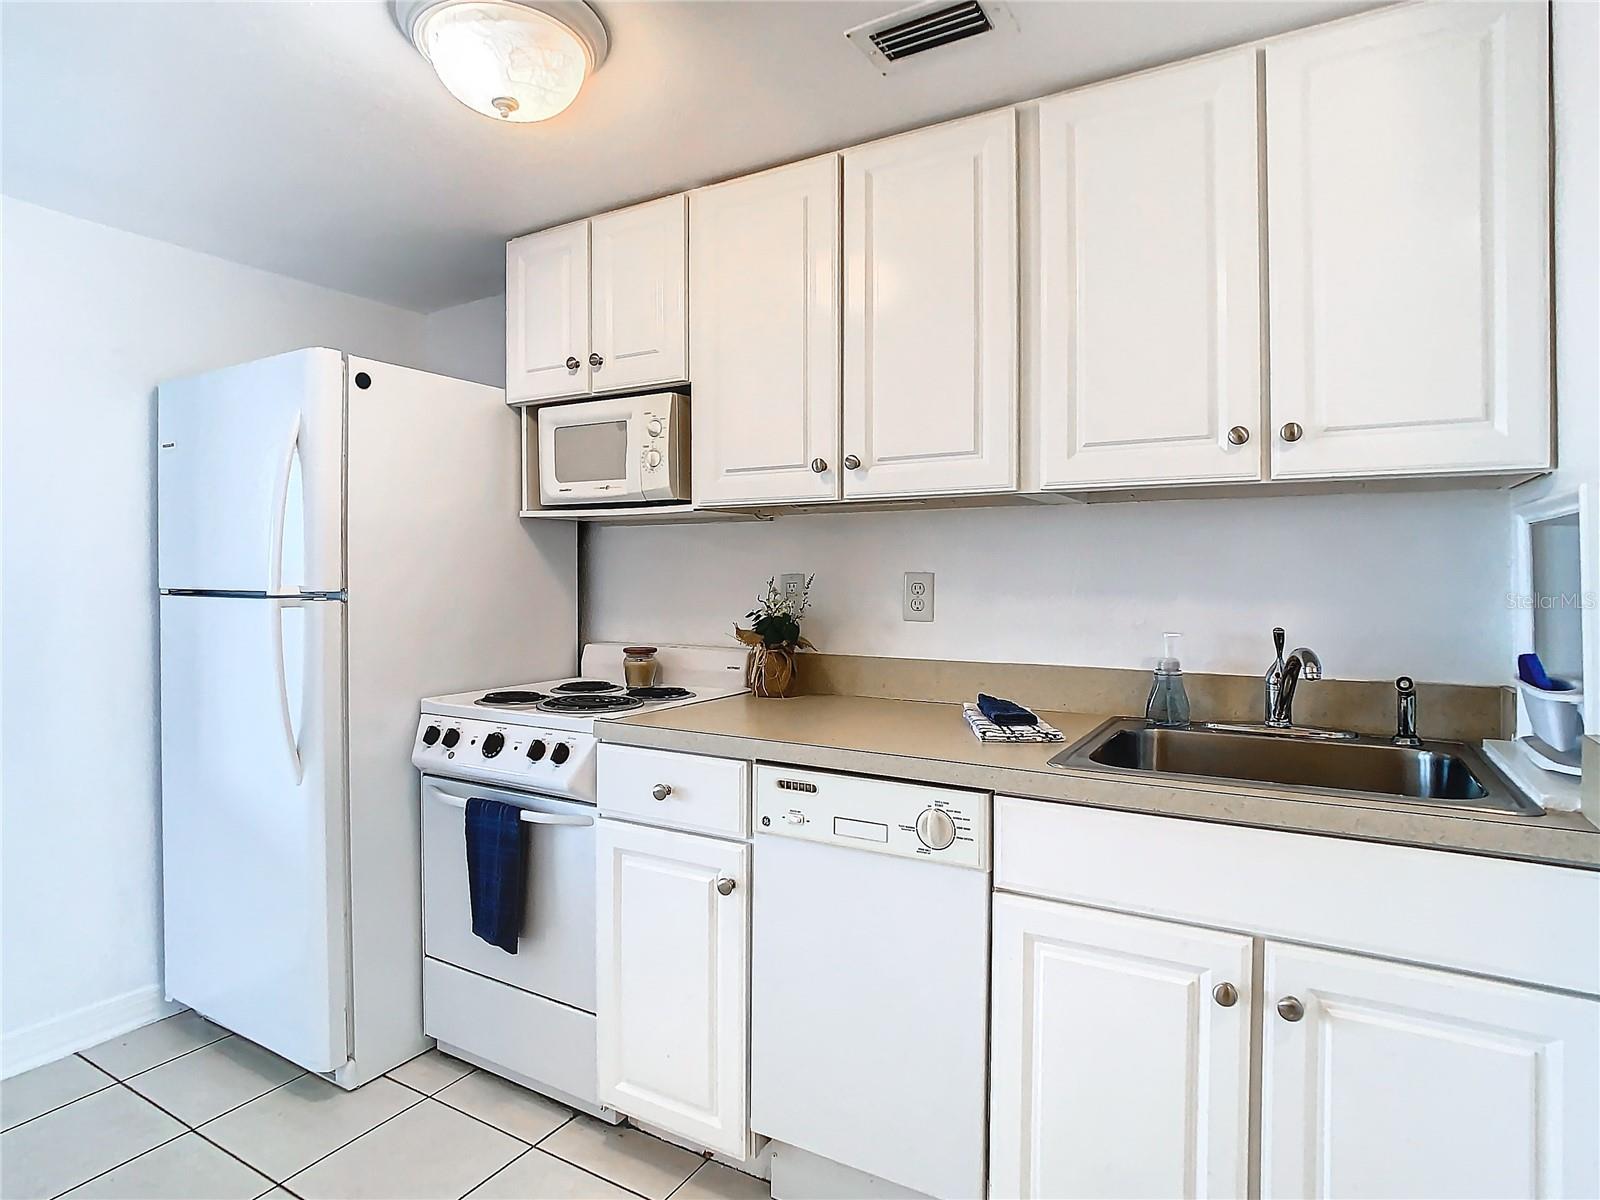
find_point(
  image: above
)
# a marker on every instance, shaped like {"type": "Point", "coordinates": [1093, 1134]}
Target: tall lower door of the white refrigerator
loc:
{"type": "Point", "coordinates": [254, 823]}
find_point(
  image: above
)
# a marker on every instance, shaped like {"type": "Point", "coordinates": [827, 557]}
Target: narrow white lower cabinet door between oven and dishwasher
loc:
{"type": "Point", "coordinates": [674, 982]}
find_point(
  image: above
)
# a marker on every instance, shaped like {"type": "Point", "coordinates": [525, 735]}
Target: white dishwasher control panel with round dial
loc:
{"type": "Point", "coordinates": [942, 825]}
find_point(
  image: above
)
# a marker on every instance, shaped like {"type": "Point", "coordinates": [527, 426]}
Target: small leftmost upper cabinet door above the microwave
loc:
{"type": "Point", "coordinates": [548, 314]}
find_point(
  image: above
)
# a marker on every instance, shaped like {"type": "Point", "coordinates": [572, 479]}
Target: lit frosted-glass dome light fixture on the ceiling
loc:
{"type": "Point", "coordinates": [511, 60]}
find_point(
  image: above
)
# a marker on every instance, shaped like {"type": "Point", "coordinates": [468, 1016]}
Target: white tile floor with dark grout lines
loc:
{"type": "Point", "coordinates": [185, 1111]}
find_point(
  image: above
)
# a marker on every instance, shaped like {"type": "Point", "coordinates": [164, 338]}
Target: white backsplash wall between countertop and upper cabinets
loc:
{"type": "Point", "coordinates": [1378, 585]}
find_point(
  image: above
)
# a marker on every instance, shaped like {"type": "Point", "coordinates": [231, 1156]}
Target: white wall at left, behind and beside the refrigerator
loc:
{"type": "Point", "coordinates": [94, 321]}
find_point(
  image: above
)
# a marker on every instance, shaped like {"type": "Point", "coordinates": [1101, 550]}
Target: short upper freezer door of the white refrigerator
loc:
{"type": "Point", "coordinates": [250, 465]}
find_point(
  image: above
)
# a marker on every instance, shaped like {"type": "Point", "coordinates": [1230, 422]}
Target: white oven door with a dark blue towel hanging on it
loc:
{"type": "Point", "coordinates": [556, 953]}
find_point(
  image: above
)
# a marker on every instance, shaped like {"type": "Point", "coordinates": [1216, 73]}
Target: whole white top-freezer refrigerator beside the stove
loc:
{"type": "Point", "coordinates": [338, 538]}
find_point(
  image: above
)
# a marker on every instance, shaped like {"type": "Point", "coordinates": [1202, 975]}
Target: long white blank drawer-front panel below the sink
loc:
{"type": "Point", "coordinates": [1516, 921]}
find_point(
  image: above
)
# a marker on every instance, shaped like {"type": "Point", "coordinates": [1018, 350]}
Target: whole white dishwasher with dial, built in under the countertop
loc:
{"type": "Point", "coordinates": [870, 994]}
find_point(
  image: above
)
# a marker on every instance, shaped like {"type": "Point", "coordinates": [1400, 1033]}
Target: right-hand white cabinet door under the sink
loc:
{"type": "Point", "coordinates": [1388, 1081]}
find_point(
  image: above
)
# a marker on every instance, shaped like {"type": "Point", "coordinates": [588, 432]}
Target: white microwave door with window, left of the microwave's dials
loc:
{"type": "Point", "coordinates": [590, 454]}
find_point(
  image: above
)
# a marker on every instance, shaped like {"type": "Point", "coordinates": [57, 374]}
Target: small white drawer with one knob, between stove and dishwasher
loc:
{"type": "Point", "coordinates": [681, 791]}
